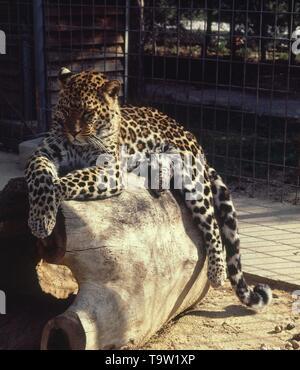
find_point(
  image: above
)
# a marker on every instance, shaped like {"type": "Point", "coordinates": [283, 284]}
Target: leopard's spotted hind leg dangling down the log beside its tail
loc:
{"type": "Point", "coordinates": [188, 174]}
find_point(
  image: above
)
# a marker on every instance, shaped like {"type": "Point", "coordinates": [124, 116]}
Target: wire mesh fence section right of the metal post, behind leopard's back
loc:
{"type": "Point", "coordinates": [226, 70]}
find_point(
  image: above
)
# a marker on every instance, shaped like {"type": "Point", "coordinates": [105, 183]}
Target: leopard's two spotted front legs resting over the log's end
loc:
{"type": "Point", "coordinates": [47, 190]}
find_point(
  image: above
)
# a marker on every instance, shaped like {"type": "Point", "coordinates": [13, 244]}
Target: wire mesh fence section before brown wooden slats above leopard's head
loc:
{"type": "Point", "coordinates": [83, 35]}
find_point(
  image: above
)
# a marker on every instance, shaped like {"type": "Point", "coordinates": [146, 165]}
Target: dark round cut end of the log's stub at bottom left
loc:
{"type": "Point", "coordinates": [65, 332]}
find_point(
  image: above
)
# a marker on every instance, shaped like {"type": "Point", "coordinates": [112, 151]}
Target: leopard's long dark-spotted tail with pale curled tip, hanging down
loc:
{"type": "Point", "coordinates": [259, 296]}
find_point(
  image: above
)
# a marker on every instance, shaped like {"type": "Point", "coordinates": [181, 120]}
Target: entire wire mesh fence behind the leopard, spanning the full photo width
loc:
{"type": "Point", "coordinates": [223, 68]}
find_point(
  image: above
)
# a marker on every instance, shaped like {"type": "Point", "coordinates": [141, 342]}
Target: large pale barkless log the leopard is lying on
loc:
{"type": "Point", "coordinates": [137, 262]}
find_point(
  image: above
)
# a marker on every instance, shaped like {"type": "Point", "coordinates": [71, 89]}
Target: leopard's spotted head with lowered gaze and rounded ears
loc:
{"type": "Point", "coordinates": [88, 107]}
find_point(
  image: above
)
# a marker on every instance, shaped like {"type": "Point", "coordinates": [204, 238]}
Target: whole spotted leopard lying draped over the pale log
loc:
{"type": "Point", "coordinates": [90, 123]}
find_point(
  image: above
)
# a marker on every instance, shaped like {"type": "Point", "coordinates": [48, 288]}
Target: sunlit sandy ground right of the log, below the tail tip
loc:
{"type": "Point", "coordinates": [220, 322]}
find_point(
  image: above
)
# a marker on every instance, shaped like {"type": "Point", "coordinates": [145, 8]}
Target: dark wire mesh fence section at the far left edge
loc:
{"type": "Point", "coordinates": [17, 102]}
